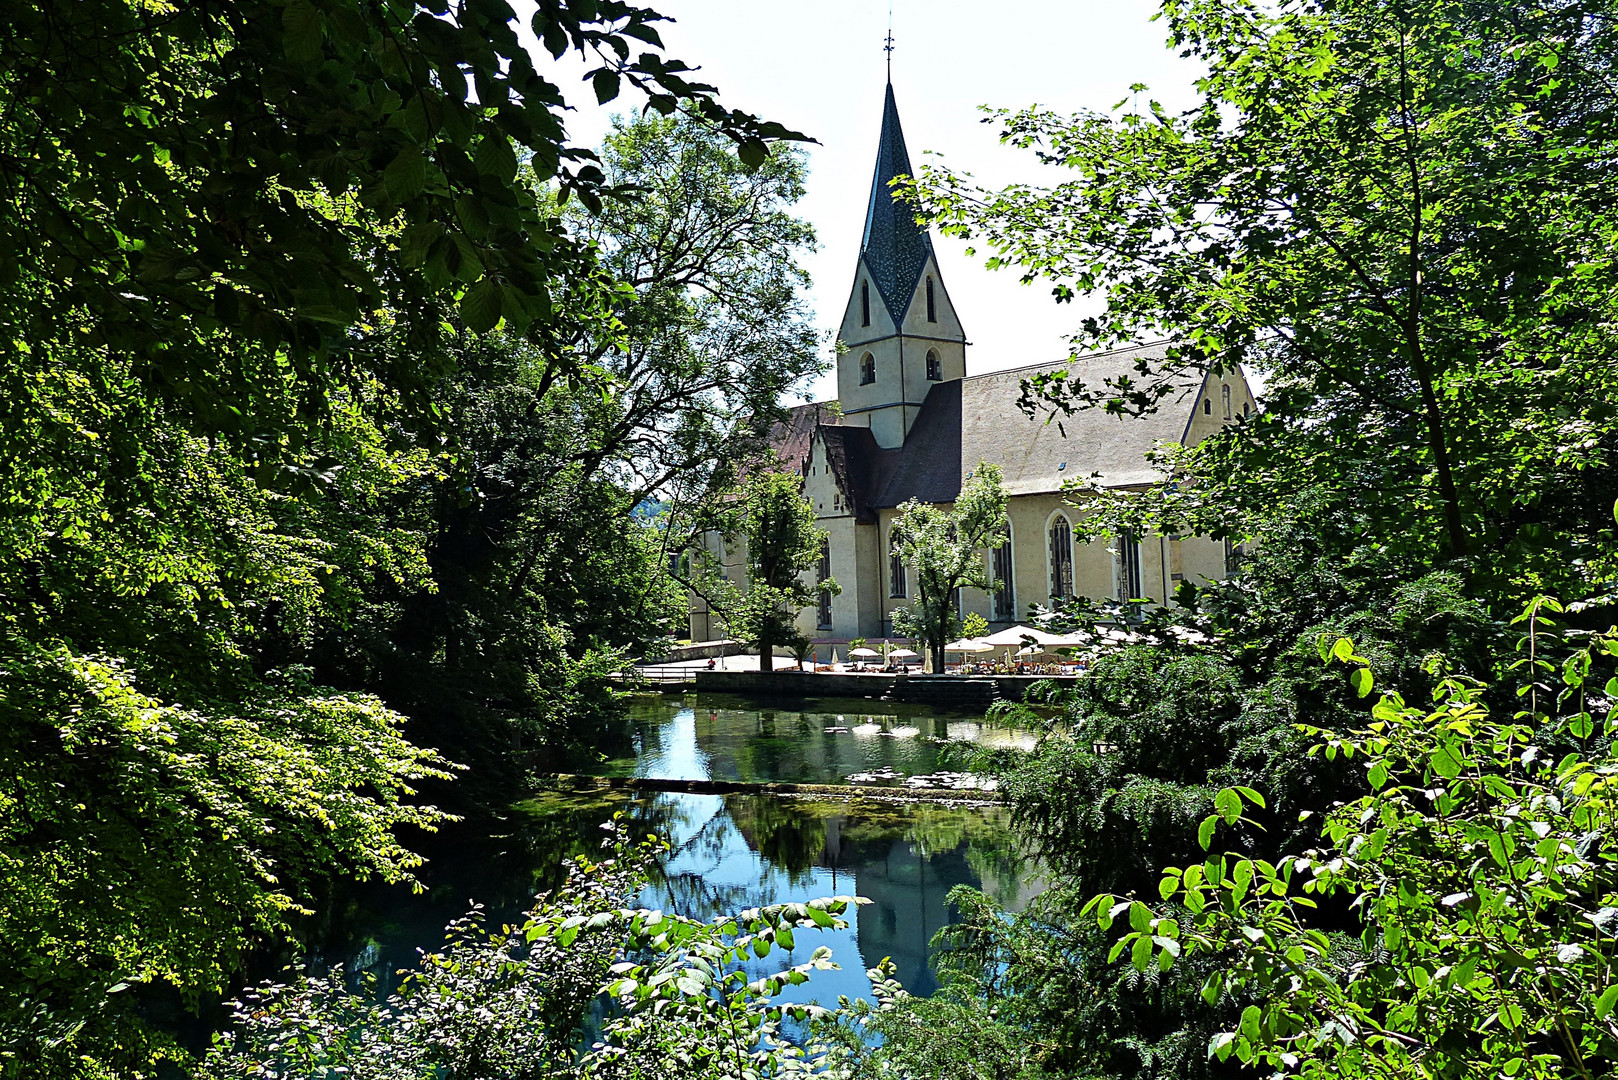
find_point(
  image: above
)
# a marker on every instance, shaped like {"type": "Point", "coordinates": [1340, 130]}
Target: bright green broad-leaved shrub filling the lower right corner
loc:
{"type": "Point", "coordinates": [1476, 862]}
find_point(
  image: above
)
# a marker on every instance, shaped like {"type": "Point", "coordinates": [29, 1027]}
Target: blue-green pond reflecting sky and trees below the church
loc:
{"type": "Point", "coordinates": [731, 853]}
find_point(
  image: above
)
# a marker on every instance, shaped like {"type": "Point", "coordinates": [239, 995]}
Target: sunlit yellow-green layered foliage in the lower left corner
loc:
{"type": "Point", "coordinates": [146, 848]}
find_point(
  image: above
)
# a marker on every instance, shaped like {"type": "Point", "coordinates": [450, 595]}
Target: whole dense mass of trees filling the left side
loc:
{"type": "Point", "coordinates": [326, 402]}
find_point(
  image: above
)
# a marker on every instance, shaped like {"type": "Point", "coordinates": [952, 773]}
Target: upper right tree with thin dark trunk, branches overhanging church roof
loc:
{"type": "Point", "coordinates": [1402, 216]}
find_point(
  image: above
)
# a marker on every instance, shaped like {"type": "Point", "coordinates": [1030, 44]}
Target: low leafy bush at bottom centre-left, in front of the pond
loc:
{"type": "Point", "coordinates": [514, 1003]}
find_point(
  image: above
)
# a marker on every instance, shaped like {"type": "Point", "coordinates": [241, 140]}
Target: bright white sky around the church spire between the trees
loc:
{"type": "Point", "coordinates": [820, 69]}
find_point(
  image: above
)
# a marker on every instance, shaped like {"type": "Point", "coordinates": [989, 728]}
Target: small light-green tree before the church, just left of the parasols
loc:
{"type": "Point", "coordinates": [946, 548]}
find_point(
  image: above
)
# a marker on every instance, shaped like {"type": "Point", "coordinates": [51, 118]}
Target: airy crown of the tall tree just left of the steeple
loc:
{"type": "Point", "coordinates": [713, 330]}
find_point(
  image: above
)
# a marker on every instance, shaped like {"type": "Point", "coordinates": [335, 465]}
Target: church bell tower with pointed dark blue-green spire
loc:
{"type": "Point", "coordinates": [900, 330]}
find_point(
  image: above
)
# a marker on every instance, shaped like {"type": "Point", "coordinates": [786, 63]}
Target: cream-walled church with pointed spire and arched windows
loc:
{"type": "Point", "coordinates": [912, 423]}
